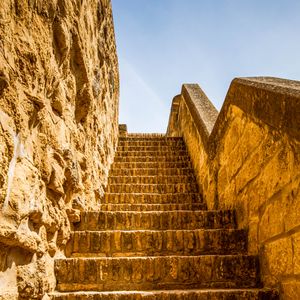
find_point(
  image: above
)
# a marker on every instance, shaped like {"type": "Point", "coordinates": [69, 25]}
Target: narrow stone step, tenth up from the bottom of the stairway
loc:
{"type": "Point", "coordinates": [150, 165]}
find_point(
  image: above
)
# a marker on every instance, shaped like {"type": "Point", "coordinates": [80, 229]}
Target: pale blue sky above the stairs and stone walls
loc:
{"type": "Point", "coordinates": [162, 44]}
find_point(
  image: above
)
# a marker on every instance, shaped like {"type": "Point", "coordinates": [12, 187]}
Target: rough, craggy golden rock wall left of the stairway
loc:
{"type": "Point", "coordinates": [59, 89]}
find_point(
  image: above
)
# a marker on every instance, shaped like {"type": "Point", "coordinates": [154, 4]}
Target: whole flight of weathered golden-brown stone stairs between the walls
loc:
{"type": "Point", "coordinates": [153, 237]}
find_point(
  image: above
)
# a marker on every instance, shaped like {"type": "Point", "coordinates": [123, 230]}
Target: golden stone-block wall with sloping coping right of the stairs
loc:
{"type": "Point", "coordinates": [250, 161]}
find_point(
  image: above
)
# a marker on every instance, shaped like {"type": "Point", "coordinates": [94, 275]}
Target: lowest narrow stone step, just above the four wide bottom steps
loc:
{"type": "Point", "coordinates": [152, 207]}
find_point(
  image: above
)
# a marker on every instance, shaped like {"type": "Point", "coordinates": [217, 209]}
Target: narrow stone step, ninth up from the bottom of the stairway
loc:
{"type": "Point", "coordinates": [151, 171]}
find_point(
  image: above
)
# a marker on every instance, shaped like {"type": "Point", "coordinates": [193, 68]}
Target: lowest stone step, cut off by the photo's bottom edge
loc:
{"type": "Point", "coordinates": [204, 294]}
